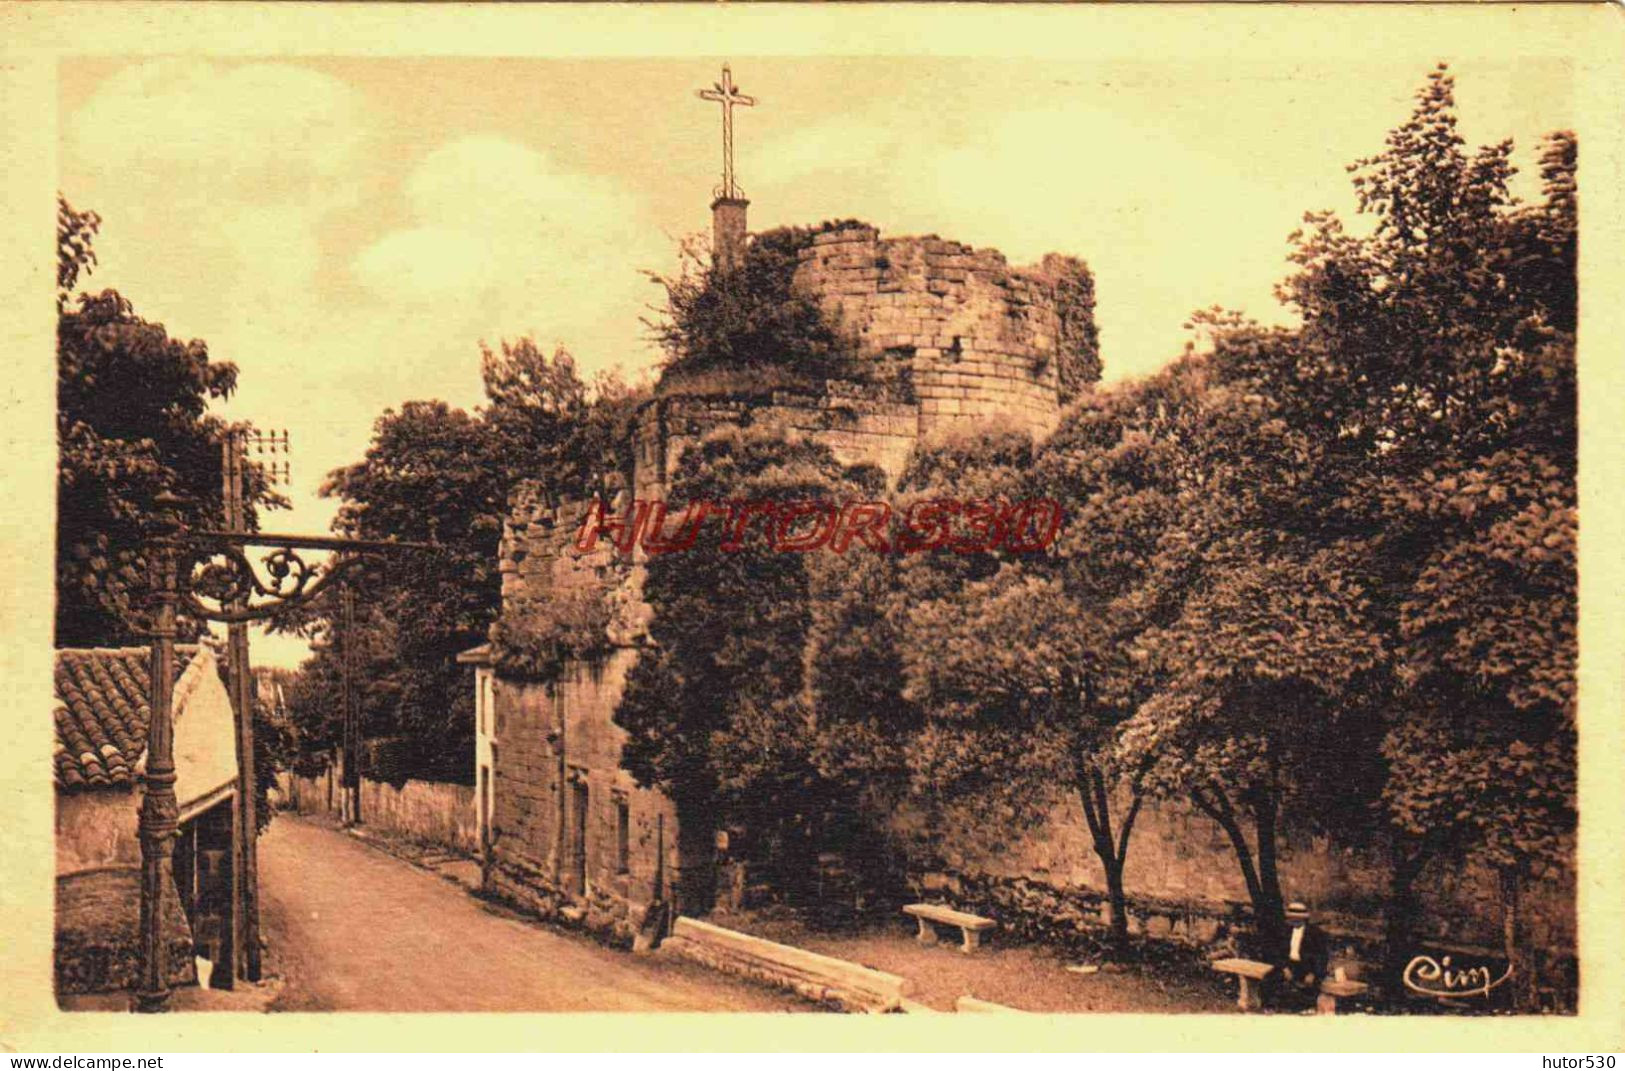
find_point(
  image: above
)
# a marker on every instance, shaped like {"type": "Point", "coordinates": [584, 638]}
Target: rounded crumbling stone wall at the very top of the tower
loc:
{"type": "Point", "coordinates": [979, 337]}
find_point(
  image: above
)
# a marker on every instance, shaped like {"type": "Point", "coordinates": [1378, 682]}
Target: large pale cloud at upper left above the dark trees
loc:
{"type": "Point", "coordinates": [217, 184]}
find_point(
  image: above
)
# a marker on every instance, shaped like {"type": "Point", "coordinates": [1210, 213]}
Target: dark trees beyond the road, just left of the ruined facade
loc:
{"type": "Point", "coordinates": [441, 475]}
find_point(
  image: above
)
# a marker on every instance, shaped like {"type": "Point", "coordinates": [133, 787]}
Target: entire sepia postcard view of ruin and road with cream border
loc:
{"type": "Point", "coordinates": [747, 527]}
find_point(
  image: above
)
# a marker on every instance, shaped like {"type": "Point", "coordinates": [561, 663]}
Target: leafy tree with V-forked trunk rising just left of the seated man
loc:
{"type": "Point", "coordinates": [1260, 711]}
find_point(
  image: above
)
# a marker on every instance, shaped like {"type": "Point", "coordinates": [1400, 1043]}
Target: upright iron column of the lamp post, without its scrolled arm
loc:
{"type": "Point", "coordinates": [160, 813]}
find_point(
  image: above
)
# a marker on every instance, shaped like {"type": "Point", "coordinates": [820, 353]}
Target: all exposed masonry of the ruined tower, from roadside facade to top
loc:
{"type": "Point", "coordinates": [937, 334]}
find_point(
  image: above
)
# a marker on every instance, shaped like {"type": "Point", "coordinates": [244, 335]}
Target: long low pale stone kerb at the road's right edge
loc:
{"type": "Point", "coordinates": [821, 979]}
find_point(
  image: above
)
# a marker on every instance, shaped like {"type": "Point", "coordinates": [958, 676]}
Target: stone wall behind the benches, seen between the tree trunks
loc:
{"type": "Point", "coordinates": [1184, 890]}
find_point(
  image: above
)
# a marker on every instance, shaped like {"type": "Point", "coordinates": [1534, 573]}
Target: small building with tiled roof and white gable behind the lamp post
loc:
{"type": "Point", "coordinates": [102, 719]}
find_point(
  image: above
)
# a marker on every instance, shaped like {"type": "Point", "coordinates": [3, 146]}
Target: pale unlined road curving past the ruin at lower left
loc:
{"type": "Point", "coordinates": [352, 929]}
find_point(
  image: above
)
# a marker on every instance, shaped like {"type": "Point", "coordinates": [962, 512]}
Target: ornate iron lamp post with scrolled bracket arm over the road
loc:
{"type": "Point", "coordinates": [236, 596]}
